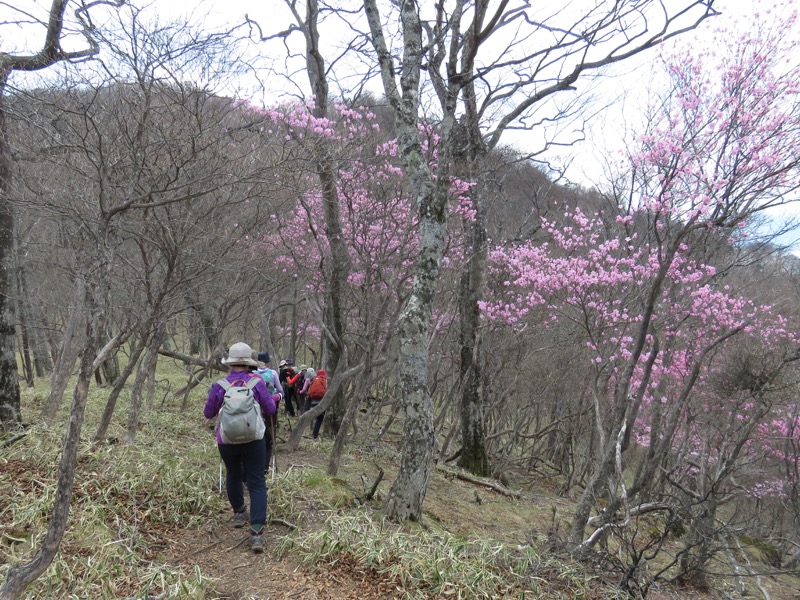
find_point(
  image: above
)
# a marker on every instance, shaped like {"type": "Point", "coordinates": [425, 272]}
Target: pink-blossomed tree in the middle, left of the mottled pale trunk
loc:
{"type": "Point", "coordinates": [371, 215]}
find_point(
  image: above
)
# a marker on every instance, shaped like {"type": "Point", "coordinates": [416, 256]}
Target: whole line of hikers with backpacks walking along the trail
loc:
{"type": "Point", "coordinates": [245, 405]}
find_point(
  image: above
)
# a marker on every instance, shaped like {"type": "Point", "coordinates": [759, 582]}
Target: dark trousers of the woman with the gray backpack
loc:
{"type": "Point", "coordinates": [246, 461]}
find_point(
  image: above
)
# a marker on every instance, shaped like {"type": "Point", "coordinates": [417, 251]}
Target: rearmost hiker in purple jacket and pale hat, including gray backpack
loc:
{"type": "Point", "coordinates": [247, 458]}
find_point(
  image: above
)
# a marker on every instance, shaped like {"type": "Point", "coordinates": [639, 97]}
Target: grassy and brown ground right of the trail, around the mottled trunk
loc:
{"type": "Point", "coordinates": [469, 545]}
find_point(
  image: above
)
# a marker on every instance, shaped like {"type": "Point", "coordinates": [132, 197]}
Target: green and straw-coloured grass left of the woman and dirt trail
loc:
{"type": "Point", "coordinates": [127, 499]}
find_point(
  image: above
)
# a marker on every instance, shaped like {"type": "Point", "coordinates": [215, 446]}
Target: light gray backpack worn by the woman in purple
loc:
{"type": "Point", "coordinates": [240, 419]}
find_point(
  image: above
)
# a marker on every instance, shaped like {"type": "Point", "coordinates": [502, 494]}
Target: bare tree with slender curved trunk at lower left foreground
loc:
{"type": "Point", "coordinates": [123, 152]}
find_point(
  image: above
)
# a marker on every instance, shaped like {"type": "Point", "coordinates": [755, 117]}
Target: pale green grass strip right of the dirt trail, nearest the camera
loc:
{"type": "Point", "coordinates": [433, 563]}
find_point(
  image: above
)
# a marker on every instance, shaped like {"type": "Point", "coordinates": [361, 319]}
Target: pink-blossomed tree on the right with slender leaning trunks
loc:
{"type": "Point", "coordinates": [721, 147]}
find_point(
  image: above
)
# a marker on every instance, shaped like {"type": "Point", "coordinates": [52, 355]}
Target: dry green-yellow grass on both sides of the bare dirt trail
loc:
{"type": "Point", "coordinates": [131, 500]}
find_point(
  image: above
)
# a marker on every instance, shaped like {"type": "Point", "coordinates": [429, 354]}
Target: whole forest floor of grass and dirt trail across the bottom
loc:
{"type": "Point", "coordinates": [148, 521]}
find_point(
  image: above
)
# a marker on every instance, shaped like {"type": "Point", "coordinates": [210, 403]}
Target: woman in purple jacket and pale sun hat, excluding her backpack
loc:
{"type": "Point", "coordinates": [244, 461]}
